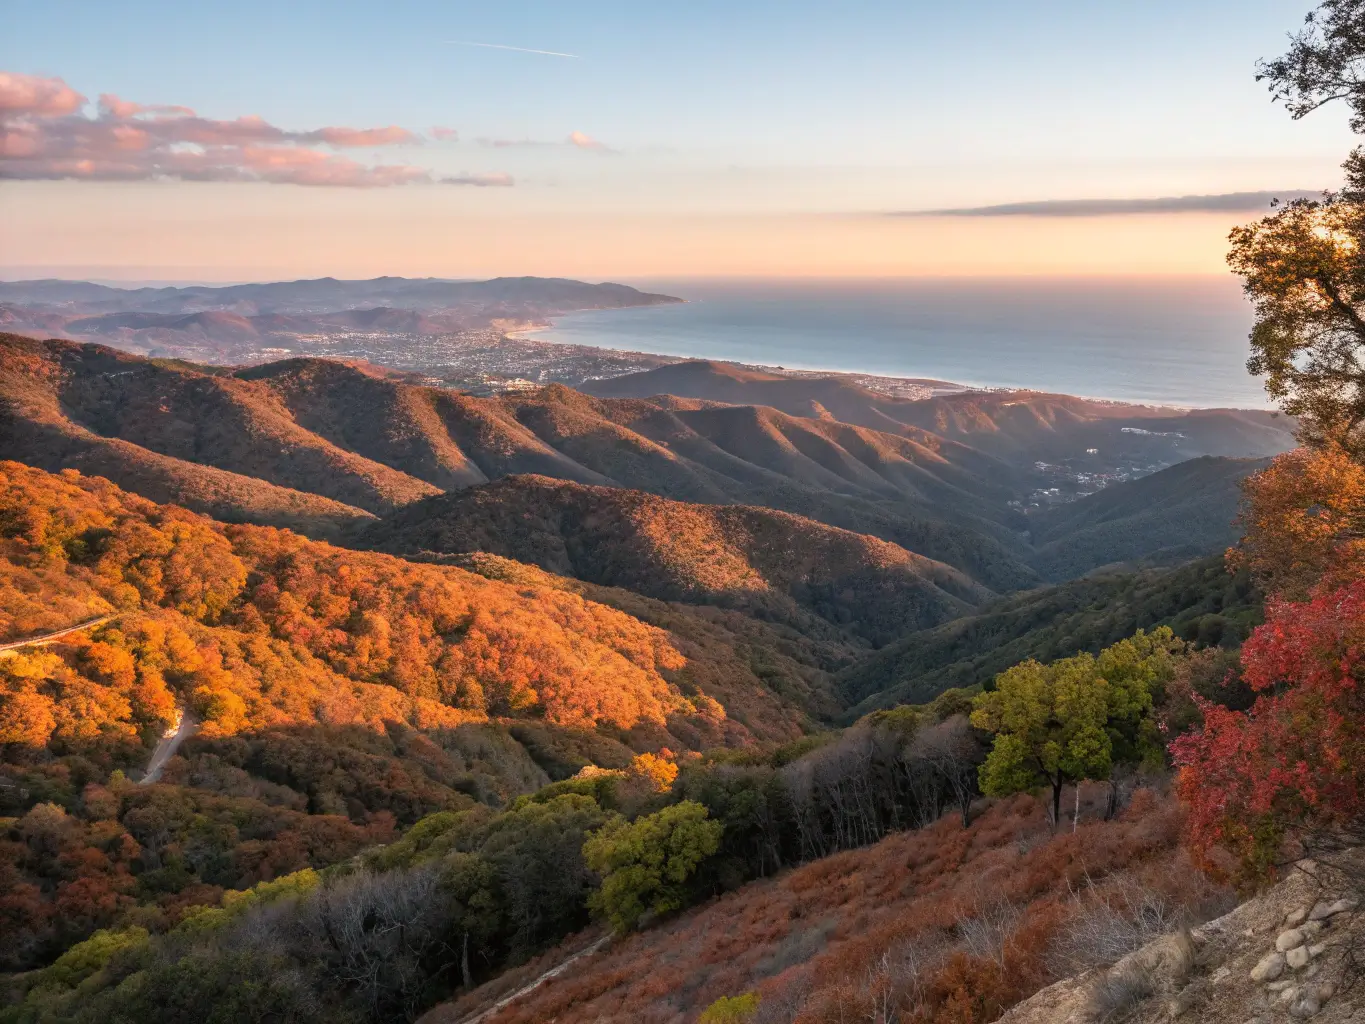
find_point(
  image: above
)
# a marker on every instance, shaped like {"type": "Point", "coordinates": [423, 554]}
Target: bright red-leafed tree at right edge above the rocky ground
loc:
{"type": "Point", "coordinates": [1295, 763]}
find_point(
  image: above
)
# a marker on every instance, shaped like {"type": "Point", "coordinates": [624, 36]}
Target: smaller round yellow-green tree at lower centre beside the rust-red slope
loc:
{"type": "Point", "coordinates": [645, 865]}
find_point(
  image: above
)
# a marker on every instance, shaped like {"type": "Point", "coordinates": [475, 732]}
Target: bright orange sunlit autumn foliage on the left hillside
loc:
{"type": "Point", "coordinates": [257, 627]}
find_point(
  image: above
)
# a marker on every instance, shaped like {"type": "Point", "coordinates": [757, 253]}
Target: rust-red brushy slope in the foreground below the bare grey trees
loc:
{"type": "Point", "coordinates": [938, 926]}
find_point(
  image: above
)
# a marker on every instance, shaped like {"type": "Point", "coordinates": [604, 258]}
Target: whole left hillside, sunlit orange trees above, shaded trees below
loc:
{"type": "Point", "coordinates": [338, 694]}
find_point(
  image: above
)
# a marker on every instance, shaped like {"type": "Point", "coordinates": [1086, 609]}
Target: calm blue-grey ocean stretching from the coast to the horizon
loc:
{"type": "Point", "coordinates": [1175, 342]}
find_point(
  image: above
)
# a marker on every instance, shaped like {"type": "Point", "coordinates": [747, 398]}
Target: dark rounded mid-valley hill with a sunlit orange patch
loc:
{"type": "Point", "coordinates": [773, 565]}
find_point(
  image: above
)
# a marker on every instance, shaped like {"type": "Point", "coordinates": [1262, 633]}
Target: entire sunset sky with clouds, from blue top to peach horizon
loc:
{"type": "Point", "coordinates": [612, 140]}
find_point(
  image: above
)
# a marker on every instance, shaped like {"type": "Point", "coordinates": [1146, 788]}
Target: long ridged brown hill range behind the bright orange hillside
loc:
{"type": "Point", "coordinates": [338, 433]}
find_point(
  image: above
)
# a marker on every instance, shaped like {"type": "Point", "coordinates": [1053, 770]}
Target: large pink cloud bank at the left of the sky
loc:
{"type": "Point", "coordinates": [46, 134]}
